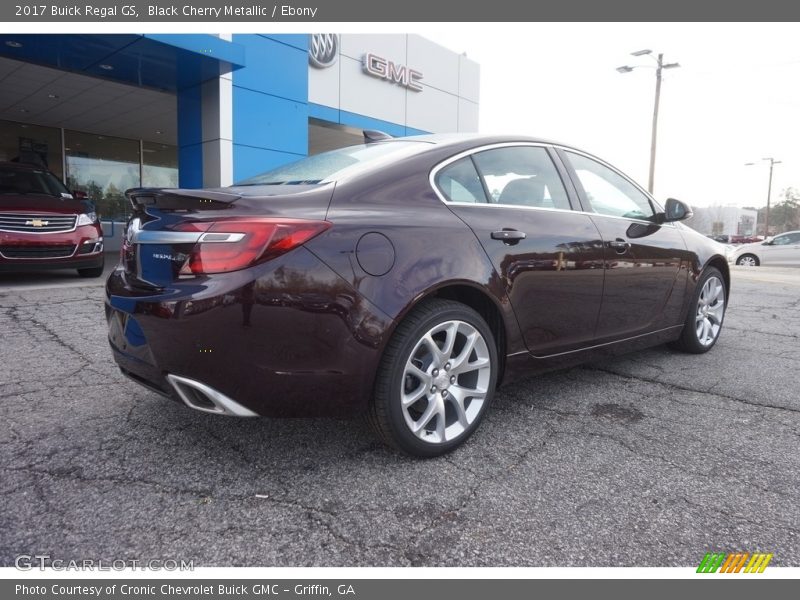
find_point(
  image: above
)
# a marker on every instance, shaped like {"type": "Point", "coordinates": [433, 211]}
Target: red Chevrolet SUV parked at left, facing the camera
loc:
{"type": "Point", "coordinates": [44, 226]}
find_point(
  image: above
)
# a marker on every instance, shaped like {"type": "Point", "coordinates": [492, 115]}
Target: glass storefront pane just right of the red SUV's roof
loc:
{"type": "Point", "coordinates": [103, 167]}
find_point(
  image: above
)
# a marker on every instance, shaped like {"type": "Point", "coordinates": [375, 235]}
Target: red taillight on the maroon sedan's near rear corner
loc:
{"type": "Point", "coordinates": [233, 244]}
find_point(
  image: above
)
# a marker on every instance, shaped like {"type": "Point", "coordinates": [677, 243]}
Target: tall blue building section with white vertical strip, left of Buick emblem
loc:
{"type": "Point", "coordinates": [248, 121]}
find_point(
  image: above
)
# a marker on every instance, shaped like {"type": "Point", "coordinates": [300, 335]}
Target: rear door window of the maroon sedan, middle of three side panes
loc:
{"type": "Point", "coordinates": [523, 176]}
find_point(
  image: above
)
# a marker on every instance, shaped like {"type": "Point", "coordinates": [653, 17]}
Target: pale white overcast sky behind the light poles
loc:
{"type": "Point", "coordinates": [735, 99]}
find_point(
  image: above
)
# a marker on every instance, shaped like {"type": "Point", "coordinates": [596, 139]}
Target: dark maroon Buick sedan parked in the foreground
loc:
{"type": "Point", "coordinates": [406, 279]}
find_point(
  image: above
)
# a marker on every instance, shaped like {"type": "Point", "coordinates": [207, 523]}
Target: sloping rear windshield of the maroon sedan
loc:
{"type": "Point", "coordinates": [336, 164]}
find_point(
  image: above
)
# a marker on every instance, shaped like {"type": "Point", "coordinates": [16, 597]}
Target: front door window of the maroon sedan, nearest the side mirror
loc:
{"type": "Point", "coordinates": [608, 192]}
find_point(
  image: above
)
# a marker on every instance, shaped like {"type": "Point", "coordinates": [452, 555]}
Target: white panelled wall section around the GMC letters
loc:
{"type": "Point", "coordinates": [448, 102]}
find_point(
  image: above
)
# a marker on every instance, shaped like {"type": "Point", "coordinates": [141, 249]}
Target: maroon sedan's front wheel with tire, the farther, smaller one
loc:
{"type": "Point", "coordinates": [705, 315]}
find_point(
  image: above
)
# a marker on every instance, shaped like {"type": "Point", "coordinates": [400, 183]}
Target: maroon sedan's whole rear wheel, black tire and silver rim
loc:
{"type": "Point", "coordinates": [428, 400]}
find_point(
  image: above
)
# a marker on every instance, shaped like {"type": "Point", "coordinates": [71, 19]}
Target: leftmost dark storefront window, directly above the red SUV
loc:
{"type": "Point", "coordinates": [31, 143]}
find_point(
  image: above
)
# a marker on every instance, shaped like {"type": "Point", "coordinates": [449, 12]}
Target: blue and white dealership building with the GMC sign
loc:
{"type": "Point", "coordinates": [110, 112]}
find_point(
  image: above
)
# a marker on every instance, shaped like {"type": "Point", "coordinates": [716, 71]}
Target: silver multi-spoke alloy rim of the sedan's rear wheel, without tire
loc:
{"type": "Point", "coordinates": [445, 382]}
